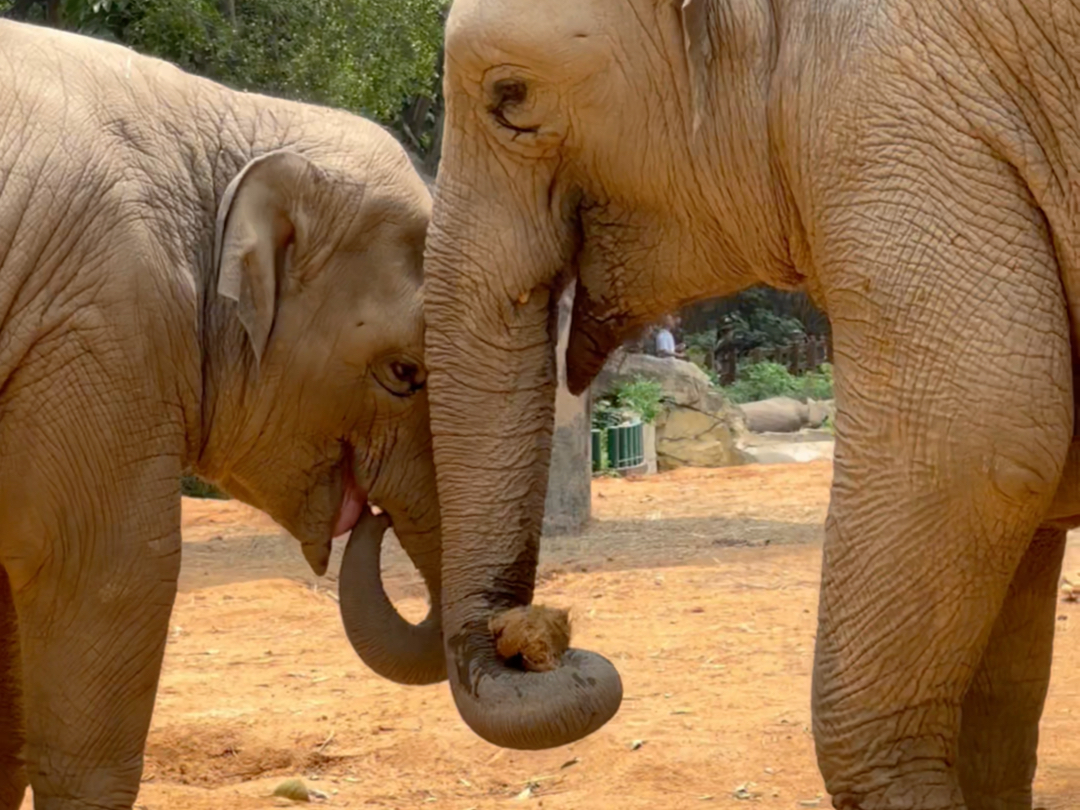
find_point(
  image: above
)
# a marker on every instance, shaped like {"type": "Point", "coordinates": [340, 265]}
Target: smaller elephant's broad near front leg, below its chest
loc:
{"type": "Point", "coordinates": [94, 623]}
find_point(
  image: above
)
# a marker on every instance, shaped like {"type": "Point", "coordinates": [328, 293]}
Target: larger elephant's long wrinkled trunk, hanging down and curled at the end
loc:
{"type": "Point", "coordinates": [492, 391]}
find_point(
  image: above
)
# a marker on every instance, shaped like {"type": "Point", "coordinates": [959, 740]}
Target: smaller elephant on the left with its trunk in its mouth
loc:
{"type": "Point", "coordinates": [191, 278]}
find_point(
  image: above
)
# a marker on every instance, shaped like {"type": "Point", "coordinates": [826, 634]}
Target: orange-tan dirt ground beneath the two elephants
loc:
{"type": "Point", "coordinates": [700, 586]}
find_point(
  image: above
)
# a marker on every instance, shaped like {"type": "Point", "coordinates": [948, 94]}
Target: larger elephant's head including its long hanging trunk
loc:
{"type": "Point", "coordinates": [575, 148]}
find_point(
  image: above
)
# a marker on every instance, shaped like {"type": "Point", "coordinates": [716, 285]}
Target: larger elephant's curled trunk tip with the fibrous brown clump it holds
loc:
{"type": "Point", "coordinates": [520, 685]}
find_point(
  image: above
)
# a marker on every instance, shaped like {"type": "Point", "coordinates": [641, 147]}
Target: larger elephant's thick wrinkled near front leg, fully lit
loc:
{"type": "Point", "coordinates": [954, 420]}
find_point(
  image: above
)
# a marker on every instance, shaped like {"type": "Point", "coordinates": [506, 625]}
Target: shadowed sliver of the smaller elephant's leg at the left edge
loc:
{"type": "Point", "coordinates": [12, 727]}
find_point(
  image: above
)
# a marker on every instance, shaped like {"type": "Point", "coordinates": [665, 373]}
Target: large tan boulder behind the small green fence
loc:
{"type": "Point", "coordinates": [698, 426]}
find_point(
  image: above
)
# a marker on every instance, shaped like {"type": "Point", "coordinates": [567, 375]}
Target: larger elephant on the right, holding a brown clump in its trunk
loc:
{"type": "Point", "coordinates": [914, 165]}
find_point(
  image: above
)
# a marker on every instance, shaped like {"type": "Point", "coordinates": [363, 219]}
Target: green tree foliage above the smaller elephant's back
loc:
{"type": "Point", "coordinates": [369, 57]}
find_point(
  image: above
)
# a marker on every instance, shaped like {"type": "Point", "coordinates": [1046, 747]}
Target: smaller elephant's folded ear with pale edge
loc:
{"type": "Point", "coordinates": [260, 222]}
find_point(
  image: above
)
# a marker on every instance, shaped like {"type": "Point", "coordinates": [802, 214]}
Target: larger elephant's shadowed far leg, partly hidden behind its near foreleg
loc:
{"type": "Point", "coordinates": [1000, 731]}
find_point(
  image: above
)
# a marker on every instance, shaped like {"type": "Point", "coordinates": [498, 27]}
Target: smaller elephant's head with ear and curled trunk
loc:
{"type": "Point", "coordinates": [315, 403]}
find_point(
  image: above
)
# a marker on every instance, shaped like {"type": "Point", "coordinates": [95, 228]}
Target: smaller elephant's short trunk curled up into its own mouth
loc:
{"type": "Point", "coordinates": [385, 641]}
